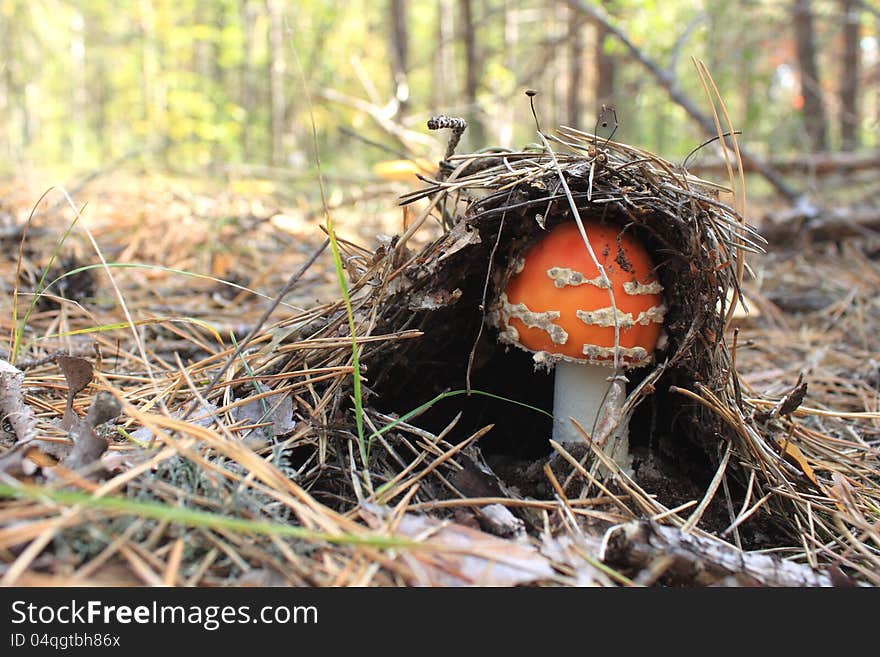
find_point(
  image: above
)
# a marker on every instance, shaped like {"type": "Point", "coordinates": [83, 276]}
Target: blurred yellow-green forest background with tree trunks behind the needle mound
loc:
{"type": "Point", "coordinates": [196, 86]}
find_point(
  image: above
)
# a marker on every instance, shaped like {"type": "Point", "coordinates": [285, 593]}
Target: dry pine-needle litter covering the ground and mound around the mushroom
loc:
{"type": "Point", "coordinates": [203, 485]}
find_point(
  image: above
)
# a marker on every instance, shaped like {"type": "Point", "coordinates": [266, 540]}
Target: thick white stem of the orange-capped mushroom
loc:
{"type": "Point", "coordinates": [580, 391]}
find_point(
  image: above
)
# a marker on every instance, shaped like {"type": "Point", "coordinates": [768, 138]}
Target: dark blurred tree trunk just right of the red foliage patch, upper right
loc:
{"type": "Point", "coordinates": [813, 108]}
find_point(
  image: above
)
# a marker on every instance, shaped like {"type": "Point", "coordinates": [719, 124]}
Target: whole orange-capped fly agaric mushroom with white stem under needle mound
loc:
{"type": "Point", "coordinates": [558, 306]}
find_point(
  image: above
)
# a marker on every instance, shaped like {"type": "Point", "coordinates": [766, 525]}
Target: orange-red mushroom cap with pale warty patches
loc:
{"type": "Point", "coordinates": [557, 305]}
